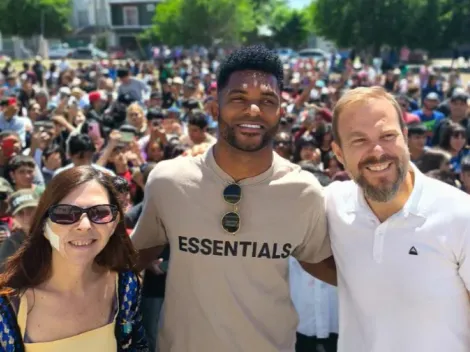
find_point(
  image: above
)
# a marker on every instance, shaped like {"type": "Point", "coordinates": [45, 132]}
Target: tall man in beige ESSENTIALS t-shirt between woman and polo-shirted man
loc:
{"type": "Point", "coordinates": [230, 292]}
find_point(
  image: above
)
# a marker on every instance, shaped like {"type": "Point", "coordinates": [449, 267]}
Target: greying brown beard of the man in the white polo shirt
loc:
{"type": "Point", "coordinates": [384, 192]}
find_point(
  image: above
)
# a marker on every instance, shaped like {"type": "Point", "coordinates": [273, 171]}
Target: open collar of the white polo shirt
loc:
{"type": "Point", "coordinates": [412, 206]}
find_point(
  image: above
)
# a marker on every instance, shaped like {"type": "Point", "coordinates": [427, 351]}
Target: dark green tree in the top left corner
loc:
{"type": "Point", "coordinates": [25, 18]}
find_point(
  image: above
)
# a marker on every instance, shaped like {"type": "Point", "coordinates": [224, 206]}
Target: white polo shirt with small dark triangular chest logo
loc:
{"type": "Point", "coordinates": [402, 284]}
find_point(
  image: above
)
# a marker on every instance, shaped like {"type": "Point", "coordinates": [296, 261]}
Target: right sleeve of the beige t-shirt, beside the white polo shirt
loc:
{"type": "Point", "coordinates": [316, 246]}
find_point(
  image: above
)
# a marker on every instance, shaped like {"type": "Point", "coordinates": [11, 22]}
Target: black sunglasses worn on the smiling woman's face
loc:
{"type": "Point", "coordinates": [66, 214]}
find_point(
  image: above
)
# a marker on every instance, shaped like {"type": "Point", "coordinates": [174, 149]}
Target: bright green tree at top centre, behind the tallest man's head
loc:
{"type": "Point", "coordinates": [202, 22]}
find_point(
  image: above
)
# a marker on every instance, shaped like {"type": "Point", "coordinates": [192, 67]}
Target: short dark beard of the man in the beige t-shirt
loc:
{"type": "Point", "coordinates": [227, 132]}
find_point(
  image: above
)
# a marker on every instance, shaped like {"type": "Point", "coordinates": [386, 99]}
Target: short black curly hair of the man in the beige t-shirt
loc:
{"type": "Point", "coordinates": [254, 58]}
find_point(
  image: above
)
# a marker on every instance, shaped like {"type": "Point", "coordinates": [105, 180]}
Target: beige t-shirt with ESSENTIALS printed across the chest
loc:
{"type": "Point", "coordinates": [223, 292]}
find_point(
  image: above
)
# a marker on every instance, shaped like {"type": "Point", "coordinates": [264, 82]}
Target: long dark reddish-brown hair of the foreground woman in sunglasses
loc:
{"type": "Point", "coordinates": [31, 264]}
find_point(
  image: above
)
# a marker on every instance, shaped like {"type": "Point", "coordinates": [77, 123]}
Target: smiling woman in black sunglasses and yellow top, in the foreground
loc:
{"type": "Point", "coordinates": [72, 285]}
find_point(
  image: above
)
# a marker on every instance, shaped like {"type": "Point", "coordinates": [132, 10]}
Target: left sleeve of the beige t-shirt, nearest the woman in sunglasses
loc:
{"type": "Point", "coordinates": [150, 230]}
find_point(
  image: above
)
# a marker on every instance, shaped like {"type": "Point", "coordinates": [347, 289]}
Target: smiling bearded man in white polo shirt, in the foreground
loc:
{"type": "Point", "coordinates": [400, 239]}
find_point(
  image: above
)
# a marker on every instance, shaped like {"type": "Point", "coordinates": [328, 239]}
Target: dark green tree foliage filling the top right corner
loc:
{"type": "Point", "coordinates": [369, 24]}
